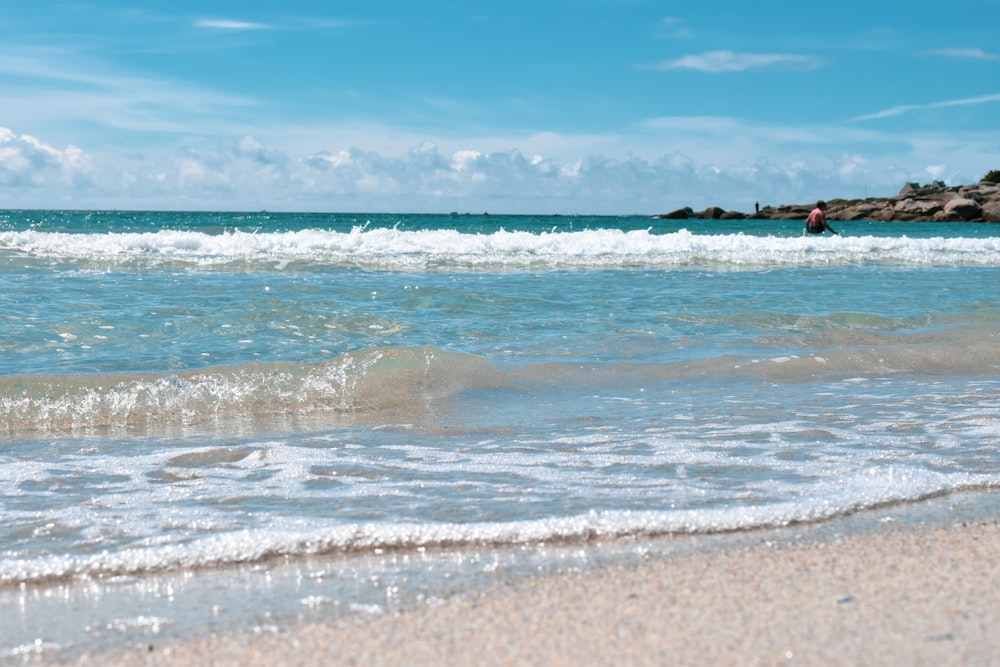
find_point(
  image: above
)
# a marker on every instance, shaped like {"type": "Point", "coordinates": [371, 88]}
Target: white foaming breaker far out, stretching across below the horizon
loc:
{"type": "Point", "coordinates": [394, 249]}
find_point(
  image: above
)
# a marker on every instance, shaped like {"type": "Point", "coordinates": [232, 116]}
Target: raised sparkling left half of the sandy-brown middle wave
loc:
{"type": "Point", "coordinates": [365, 381]}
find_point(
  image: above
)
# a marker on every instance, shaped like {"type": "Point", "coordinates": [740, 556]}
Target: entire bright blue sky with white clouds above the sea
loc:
{"type": "Point", "coordinates": [542, 107]}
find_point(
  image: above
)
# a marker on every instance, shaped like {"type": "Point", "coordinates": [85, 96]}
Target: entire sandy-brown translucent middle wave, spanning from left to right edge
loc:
{"type": "Point", "coordinates": [371, 382]}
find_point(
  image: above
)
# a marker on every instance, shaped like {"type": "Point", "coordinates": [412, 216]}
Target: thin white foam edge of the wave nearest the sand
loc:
{"type": "Point", "coordinates": [864, 491]}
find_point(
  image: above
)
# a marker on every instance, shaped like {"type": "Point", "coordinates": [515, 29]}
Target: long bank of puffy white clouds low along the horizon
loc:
{"type": "Point", "coordinates": [666, 164]}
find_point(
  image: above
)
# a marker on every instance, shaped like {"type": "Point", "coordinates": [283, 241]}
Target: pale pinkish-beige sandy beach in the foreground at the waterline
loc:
{"type": "Point", "coordinates": [914, 596]}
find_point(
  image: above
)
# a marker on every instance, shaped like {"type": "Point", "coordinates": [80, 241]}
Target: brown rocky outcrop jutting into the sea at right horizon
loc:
{"type": "Point", "coordinates": [937, 202]}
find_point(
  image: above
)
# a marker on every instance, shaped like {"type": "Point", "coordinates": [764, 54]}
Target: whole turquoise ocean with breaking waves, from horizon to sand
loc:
{"type": "Point", "coordinates": [232, 421]}
